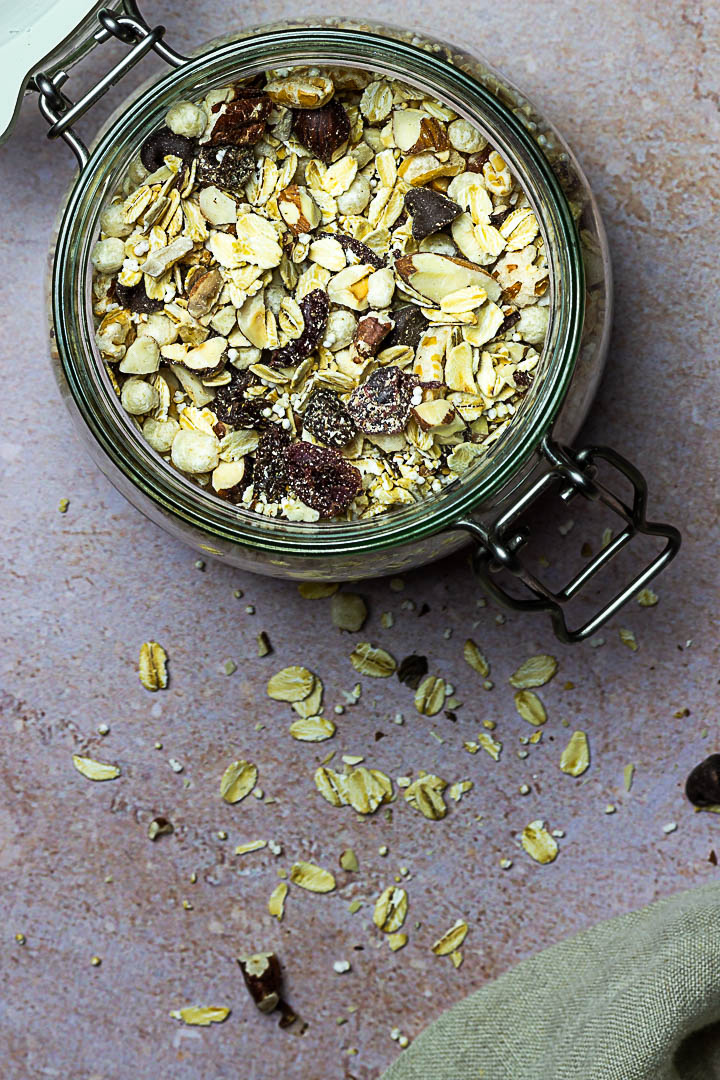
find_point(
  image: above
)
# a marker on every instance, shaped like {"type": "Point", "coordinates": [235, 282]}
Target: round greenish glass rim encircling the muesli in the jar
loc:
{"type": "Point", "coordinates": [384, 51]}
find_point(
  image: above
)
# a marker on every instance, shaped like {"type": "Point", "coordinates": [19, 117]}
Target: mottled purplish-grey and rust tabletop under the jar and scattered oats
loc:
{"type": "Point", "coordinates": [631, 86]}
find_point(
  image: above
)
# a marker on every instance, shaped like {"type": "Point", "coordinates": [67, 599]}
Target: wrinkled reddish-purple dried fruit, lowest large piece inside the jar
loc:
{"type": "Point", "coordinates": [322, 479]}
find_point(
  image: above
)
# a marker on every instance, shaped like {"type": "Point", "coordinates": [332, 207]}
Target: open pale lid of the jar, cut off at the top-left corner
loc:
{"type": "Point", "coordinates": [42, 36]}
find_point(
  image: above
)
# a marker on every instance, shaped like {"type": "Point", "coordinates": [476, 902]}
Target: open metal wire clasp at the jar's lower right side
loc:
{"type": "Point", "coordinates": [576, 470]}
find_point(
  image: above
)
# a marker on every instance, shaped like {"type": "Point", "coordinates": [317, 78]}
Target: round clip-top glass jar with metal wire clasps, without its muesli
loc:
{"type": "Point", "coordinates": [531, 457]}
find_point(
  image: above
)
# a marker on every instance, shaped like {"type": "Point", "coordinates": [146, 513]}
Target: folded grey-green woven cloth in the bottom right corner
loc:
{"type": "Point", "coordinates": [635, 998]}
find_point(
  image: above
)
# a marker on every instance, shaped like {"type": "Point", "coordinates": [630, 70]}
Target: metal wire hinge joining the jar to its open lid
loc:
{"type": "Point", "coordinates": [132, 30]}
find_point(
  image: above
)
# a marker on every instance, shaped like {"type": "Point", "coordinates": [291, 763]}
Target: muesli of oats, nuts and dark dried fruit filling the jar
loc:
{"type": "Point", "coordinates": [320, 294]}
